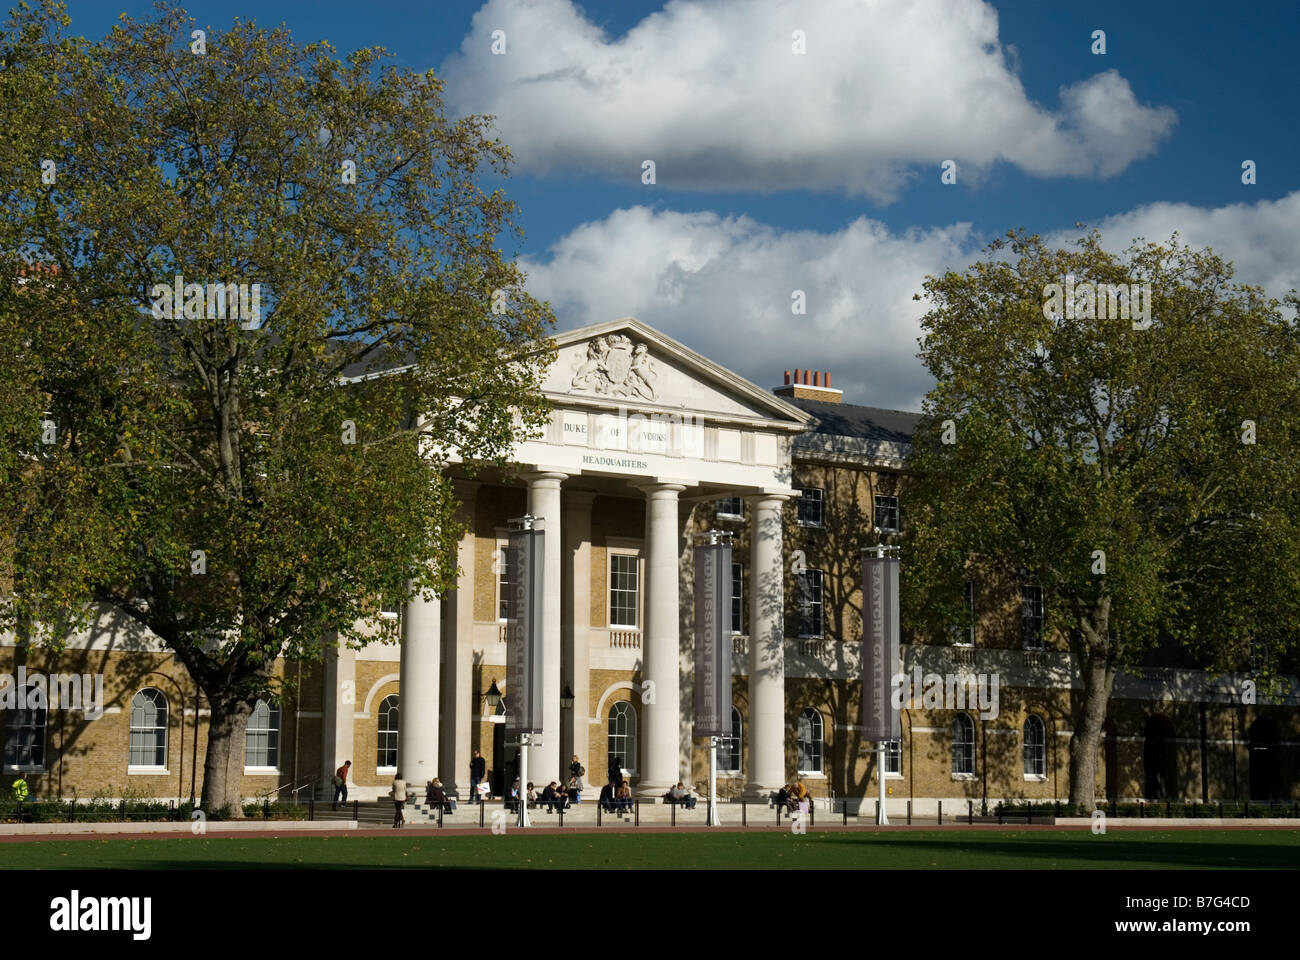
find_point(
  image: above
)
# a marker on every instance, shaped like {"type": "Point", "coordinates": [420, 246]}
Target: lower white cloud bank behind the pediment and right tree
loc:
{"type": "Point", "coordinates": [722, 286]}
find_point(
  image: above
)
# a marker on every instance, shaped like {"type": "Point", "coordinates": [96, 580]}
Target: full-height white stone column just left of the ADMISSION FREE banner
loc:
{"type": "Point", "coordinates": [661, 710]}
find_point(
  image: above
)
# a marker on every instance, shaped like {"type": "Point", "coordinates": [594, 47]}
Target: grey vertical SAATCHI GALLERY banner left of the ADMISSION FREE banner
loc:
{"type": "Point", "coordinates": [525, 632]}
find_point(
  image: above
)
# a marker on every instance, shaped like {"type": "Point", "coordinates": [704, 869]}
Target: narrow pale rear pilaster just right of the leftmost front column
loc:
{"type": "Point", "coordinates": [458, 703]}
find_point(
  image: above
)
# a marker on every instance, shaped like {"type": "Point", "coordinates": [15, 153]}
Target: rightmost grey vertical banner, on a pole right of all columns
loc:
{"type": "Point", "coordinates": [879, 648]}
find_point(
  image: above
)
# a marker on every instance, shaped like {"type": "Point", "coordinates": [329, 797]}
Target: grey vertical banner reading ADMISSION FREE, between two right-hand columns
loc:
{"type": "Point", "coordinates": [713, 641]}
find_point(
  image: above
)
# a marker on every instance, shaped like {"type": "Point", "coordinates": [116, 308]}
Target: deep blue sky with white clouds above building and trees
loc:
{"type": "Point", "coordinates": [821, 171]}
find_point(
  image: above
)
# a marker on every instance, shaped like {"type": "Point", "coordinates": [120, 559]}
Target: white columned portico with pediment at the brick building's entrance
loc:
{"type": "Point", "coordinates": [643, 431]}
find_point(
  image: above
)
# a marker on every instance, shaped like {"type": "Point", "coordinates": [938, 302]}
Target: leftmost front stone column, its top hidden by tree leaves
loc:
{"type": "Point", "coordinates": [418, 717]}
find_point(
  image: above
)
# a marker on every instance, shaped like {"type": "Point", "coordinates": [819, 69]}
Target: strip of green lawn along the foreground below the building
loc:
{"type": "Point", "coordinates": [921, 850]}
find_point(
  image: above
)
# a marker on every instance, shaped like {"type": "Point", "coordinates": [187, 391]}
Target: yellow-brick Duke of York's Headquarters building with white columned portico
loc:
{"type": "Point", "coordinates": [651, 444]}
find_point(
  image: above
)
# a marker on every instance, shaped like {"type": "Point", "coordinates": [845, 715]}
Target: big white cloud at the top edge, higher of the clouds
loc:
{"type": "Point", "coordinates": [712, 92]}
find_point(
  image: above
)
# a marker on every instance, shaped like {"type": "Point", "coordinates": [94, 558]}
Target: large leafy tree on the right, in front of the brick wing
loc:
{"type": "Point", "coordinates": [1143, 474]}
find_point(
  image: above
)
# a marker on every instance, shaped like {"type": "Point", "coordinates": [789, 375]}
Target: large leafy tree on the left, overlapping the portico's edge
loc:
{"type": "Point", "coordinates": [245, 487]}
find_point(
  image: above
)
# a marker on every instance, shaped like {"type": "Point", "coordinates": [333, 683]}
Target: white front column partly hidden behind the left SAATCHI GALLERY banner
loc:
{"type": "Point", "coordinates": [544, 503]}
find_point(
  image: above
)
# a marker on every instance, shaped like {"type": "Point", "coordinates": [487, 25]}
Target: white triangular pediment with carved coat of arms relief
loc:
{"type": "Point", "coordinates": [630, 365]}
